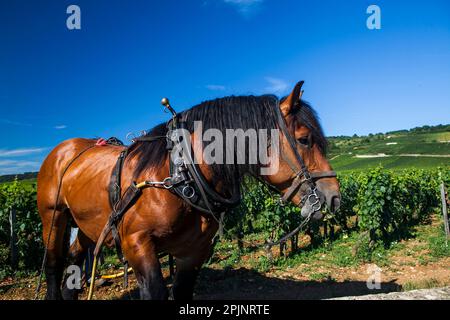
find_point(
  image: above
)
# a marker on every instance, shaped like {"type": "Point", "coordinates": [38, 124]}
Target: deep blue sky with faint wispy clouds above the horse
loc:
{"type": "Point", "coordinates": [107, 79]}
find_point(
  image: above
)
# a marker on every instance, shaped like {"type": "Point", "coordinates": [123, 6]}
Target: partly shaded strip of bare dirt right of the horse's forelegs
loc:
{"type": "Point", "coordinates": [288, 284]}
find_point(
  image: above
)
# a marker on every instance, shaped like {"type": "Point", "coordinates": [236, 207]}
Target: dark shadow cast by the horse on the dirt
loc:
{"type": "Point", "coordinates": [246, 284]}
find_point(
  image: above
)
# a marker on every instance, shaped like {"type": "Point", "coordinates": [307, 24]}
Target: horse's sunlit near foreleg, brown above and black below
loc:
{"type": "Point", "coordinates": [143, 258]}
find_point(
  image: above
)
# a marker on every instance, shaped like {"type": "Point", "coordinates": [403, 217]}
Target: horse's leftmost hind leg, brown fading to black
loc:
{"type": "Point", "coordinates": [54, 239]}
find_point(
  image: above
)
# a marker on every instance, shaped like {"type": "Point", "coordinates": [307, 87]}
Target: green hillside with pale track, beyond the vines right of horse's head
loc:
{"type": "Point", "coordinates": [423, 147]}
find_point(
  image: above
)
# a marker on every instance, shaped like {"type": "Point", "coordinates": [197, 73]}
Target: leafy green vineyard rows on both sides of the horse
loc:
{"type": "Point", "coordinates": [379, 209]}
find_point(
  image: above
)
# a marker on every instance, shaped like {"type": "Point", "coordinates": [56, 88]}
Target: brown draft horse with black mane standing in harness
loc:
{"type": "Point", "coordinates": [160, 221]}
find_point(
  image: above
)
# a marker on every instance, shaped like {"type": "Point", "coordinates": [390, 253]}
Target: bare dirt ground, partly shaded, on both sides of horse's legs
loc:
{"type": "Point", "coordinates": [248, 284]}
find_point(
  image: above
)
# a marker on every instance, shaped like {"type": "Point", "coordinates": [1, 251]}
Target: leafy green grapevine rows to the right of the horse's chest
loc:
{"type": "Point", "coordinates": [380, 206]}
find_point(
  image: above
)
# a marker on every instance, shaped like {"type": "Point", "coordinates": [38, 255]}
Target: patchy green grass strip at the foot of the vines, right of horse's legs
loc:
{"type": "Point", "coordinates": [316, 262]}
